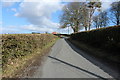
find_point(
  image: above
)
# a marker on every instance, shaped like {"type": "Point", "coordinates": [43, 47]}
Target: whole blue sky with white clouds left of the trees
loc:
{"type": "Point", "coordinates": [26, 16]}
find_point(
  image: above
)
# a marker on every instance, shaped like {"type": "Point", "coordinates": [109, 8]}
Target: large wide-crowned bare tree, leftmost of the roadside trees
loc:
{"type": "Point", "coordinates": [75, 15]}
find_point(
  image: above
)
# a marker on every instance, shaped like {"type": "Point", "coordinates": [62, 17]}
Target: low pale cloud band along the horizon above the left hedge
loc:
{"type": "Point", "coordinates": [32, 28]}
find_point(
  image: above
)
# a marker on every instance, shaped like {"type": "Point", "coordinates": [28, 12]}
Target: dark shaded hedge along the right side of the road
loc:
{"type": "Point", "coordinates": [104, 38]}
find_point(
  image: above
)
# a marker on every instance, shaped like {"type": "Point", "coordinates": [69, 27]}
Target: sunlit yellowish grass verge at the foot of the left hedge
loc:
{"type": "Point", "coordinates": [16, 67]}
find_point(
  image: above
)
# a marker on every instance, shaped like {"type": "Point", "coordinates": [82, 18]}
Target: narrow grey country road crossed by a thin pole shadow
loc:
{"type": "Point", "coordinates": [64, 62]}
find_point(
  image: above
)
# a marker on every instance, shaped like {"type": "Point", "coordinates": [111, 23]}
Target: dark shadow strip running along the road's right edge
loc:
{"type": "Point", "coordinates": [93, 60]}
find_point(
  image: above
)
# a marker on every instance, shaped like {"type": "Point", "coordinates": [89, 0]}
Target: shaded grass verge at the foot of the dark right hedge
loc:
{"type": "Point", "coordinates": [112, 61]}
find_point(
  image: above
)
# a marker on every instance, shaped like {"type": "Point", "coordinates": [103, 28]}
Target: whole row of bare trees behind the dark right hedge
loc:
{"type": "Point", "coordinates": [78, 15]}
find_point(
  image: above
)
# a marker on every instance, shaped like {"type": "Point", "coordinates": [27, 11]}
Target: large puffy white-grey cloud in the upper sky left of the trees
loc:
{"type": "Point", "coordinates": [39, 13]}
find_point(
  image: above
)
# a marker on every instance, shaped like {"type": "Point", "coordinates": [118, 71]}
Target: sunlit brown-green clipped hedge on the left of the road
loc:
{"type": "Point", "coordinates": [18, 45]}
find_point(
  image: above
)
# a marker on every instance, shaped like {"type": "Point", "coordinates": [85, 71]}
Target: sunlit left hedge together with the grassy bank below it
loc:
{"type": "Point", "coordinates": [20, 50]}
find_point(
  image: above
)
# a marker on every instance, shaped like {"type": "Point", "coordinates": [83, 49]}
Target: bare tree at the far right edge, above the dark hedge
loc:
{"type": "Point", "coordinates": [115, 13]}
